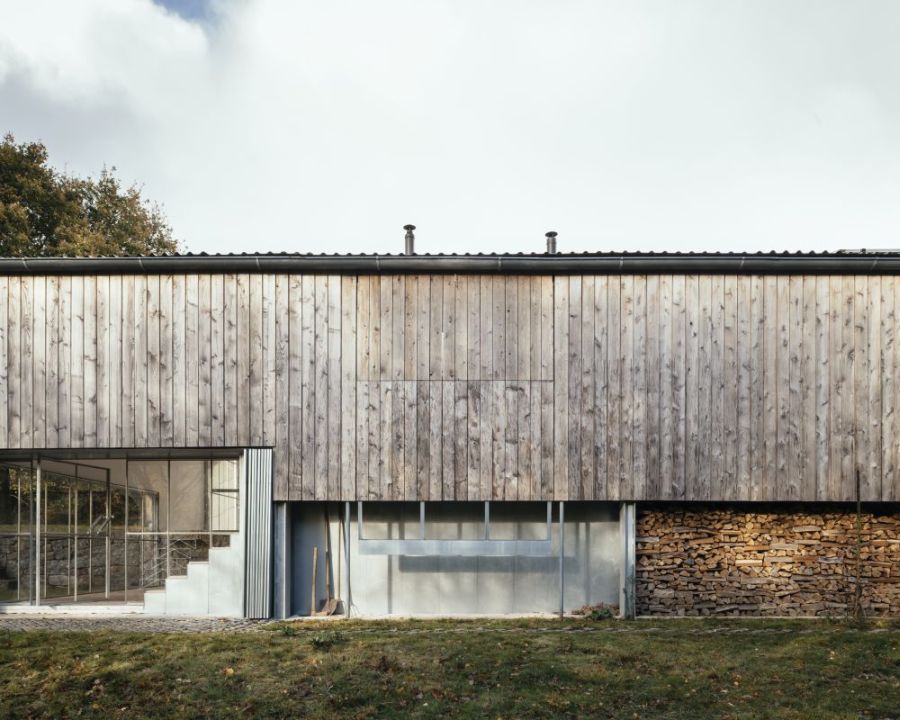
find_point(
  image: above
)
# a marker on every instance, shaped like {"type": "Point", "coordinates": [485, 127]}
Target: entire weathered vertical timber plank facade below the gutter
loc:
{"type": "Point", "coordinates": [473, 387]}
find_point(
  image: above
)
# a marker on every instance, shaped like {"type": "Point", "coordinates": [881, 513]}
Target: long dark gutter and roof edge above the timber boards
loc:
{"type": "Point", "coordinates": [856, 264]}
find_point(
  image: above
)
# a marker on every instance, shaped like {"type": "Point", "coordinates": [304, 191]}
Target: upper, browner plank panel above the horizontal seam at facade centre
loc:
{"type": "Point", "coordinates": [453, 327]}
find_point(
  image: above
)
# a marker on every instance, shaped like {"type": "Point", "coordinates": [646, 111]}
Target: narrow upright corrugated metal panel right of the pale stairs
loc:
{"type": "Point", "coordinates": [258, 513]}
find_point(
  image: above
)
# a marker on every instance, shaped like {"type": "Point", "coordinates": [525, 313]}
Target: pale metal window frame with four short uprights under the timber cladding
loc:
{"type": "Point", "coordinates": [485, 547]}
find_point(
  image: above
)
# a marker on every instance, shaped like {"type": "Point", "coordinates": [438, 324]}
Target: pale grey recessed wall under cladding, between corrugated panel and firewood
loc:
{"type": "Point", "coordinates": [404, 585]}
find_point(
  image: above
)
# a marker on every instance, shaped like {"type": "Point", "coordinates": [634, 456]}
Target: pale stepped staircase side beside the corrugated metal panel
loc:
{"type": "Point", "coordinates": [210, 587]}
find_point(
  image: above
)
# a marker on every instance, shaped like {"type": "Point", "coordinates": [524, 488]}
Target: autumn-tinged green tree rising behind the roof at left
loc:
{"type": "Point", "coordinates": [46, 213]}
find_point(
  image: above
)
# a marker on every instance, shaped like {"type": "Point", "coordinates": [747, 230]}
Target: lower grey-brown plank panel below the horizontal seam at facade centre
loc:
{"type": "Point", "coordinates": [480, 439]}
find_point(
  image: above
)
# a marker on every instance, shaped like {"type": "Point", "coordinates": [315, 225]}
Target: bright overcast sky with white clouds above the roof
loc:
{"type": "Point", "coordinates": [325, 127]}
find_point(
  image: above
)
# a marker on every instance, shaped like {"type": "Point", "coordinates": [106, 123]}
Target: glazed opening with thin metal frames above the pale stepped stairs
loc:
{"type": "Point", "coordinates": [80, 532]}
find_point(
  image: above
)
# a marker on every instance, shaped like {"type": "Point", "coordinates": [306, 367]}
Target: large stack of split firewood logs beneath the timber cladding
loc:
{"type": "Point", "coordinates": [765, 560]}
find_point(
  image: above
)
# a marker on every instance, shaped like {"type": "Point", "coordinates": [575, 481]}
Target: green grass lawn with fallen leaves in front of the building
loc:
{"type": "Point", "coordinates": [460, 669]}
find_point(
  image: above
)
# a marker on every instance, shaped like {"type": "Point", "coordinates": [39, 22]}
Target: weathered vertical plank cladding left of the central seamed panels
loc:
{"type": "Point", "coordinates": [186, 361]}
